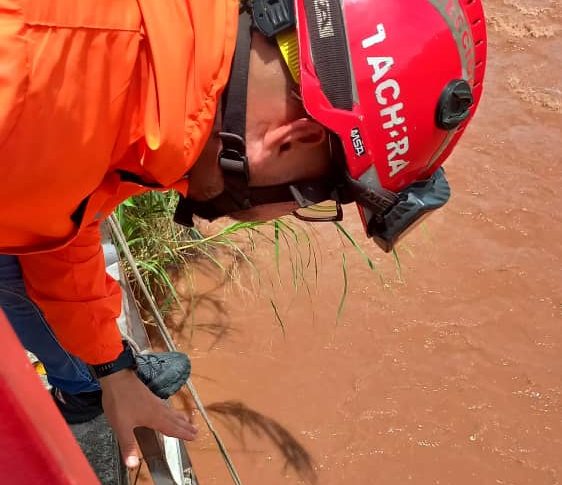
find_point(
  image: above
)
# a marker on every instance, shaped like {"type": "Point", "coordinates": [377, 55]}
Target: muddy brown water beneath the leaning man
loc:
{"type": "Point", "coordinates": [448, 374]}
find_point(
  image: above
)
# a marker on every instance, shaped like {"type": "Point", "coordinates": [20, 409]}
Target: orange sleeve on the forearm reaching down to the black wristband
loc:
{"type": "Point", "coordinates": [80, 300]}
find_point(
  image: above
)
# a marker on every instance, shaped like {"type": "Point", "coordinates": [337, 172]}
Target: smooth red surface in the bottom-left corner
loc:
{"type": "Point", "coordinates": [36, 444]}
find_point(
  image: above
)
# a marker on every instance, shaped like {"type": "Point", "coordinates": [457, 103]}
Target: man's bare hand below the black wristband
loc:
{"type": "Point", "coordinates": [128, 404]}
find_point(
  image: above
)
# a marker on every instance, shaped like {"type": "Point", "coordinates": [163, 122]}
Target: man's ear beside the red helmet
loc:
{"type": "Point", "coordinates": [302, 133]}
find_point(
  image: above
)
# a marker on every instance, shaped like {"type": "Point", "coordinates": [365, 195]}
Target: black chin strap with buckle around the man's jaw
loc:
{"type": "Point", "coordinates": [270, 18]}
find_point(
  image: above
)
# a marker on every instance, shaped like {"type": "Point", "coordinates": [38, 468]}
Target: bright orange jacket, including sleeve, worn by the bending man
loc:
{"type": "Point", "coordinates": [89, 89]}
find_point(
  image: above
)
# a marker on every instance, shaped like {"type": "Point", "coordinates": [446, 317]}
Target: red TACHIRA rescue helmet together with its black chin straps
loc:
{"type": "Point", "coordinates": [394, 81]}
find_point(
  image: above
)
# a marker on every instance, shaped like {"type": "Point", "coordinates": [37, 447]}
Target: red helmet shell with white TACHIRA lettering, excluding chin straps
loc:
{"type": "Point", "coordinates": [397, 82]}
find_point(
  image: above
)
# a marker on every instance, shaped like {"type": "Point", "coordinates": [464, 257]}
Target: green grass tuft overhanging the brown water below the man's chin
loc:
{"type": "Point", "coordinates": [164, 250]}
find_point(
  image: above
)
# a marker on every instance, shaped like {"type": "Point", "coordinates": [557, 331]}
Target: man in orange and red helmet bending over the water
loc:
{"type": "Point", "coordinates": [248, 109]}
